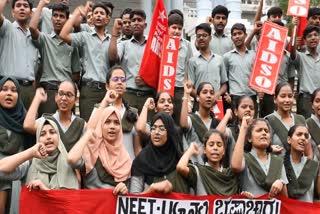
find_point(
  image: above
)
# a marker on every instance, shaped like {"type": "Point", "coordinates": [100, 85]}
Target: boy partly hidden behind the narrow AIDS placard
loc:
{"type": "Point", "coordinates": [175, 22]}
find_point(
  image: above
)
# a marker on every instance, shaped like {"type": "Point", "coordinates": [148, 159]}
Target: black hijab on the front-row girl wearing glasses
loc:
{"type": "Point", "coordinates": [157, 161]}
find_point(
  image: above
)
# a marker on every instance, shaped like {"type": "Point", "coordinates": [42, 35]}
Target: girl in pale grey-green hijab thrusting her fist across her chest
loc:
{"type": "Point", "coordinates": [52, 172]}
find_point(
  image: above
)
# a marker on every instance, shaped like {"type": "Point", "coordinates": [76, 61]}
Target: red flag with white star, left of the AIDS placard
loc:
{"type": "Point", "coordinates": [150, 65]}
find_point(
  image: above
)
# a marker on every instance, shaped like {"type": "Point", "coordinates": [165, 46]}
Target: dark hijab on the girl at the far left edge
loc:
{"type": "Point", "coordinates": [12, 119]}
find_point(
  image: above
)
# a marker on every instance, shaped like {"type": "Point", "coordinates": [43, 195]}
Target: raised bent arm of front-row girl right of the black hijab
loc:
{"type": "Point", "coordinates": [182, 166]}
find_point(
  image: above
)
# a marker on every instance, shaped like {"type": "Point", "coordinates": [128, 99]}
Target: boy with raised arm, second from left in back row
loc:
{"type": "Point", "coordinates": [60, 61]}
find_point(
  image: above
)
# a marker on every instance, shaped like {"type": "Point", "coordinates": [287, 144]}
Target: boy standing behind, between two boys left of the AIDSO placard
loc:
{"type": "Point", "coordinates": [220, 43]}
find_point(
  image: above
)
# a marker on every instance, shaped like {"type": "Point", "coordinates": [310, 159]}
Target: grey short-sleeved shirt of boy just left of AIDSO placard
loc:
{"type": "Point", "coordinates": [239, 68]}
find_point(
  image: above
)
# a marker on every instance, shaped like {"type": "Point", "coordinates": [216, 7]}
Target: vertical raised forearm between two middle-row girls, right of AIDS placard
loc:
{"type": "Point", "coordinates": [184, 108]}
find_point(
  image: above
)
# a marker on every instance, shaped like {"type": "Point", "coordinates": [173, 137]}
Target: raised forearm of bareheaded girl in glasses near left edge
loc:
{"type": "Point", "coordinates": [30, 124]}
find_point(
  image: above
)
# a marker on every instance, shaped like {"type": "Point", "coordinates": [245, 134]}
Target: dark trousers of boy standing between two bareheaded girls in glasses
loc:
{"type": "Point", "coordinates": [89, 96]}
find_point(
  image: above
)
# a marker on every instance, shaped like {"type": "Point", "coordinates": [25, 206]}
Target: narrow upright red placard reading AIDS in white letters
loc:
{"type": "Point", "coordinates": [168, 68]}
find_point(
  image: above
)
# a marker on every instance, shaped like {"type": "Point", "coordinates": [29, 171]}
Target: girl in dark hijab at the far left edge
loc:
{"type": "Point", "coordinates": [12, 114]}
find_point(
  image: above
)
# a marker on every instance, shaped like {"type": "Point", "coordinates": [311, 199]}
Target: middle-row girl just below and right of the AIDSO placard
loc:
{"type": "Point", "coordinates": [282, 119]}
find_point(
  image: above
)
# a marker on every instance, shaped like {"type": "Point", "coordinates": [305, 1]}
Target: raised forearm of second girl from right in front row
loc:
{"type": "Point", "coordinates": [238, 152]}
